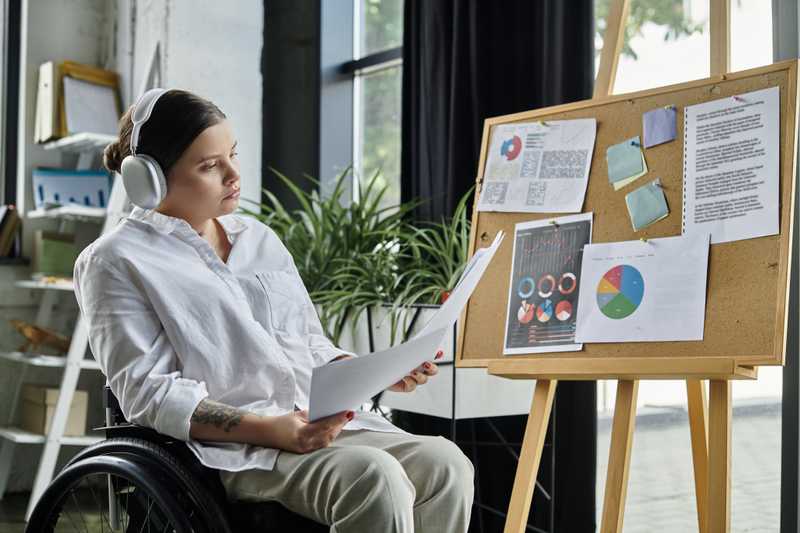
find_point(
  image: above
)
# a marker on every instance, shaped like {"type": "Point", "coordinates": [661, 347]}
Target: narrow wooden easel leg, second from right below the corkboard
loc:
{"type": "Point", "coordinates": [698, 415]}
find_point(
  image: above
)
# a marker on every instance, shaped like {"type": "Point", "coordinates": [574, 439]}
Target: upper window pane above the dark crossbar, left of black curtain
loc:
{"type": "Point", "coordinates": [380, 25]}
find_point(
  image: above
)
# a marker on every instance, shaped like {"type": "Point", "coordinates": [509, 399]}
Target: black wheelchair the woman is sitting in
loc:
{"type": "Point", "coordinates": [140, 480]}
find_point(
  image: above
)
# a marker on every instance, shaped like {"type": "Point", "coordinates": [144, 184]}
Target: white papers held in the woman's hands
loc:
{"type": "Point", "coordinates": [346, 384]}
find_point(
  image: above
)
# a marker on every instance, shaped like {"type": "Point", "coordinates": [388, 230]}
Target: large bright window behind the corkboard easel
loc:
{"type": "Point", "coordinates": [667, 42]}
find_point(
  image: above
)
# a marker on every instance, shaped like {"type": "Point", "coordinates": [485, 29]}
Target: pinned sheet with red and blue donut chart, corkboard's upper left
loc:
{"type": "Point", "coordinates": [538, 167]}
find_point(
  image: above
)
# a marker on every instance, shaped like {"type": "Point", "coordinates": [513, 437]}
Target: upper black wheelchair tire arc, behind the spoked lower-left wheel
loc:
{"type": "Point", "coordinates": [156, 456]}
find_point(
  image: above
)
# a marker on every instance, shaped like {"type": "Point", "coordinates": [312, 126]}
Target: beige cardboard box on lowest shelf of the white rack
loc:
{"type": "Point", "coordinates": [39, 406]}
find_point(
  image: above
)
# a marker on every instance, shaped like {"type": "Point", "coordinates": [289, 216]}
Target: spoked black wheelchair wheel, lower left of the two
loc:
{"type": "Point", "coordinates": [130, 478]}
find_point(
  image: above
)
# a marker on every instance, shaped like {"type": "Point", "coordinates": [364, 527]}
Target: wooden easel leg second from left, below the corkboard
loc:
{"type": "Point", "coordinates": [619, 456]}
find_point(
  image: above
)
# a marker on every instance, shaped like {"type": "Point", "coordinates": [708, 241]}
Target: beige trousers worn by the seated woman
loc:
{"type": "Point", "coordinates": [369, 481]}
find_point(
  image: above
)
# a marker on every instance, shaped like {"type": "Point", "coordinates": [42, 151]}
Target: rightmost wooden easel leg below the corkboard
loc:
{"type": "Point", "coordinates": [719, 457]}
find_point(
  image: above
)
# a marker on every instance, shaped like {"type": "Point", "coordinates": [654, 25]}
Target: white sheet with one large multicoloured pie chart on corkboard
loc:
{"type": "Point", "coordinates": [644, 291]}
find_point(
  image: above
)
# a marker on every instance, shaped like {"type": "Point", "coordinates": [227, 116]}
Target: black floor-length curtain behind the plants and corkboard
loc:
{"type": "Point", "coordinates": [465, 61]}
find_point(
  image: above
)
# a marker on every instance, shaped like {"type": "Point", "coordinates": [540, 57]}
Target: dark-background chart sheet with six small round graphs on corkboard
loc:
{"type": "Point", "coordinates": [544, 285]}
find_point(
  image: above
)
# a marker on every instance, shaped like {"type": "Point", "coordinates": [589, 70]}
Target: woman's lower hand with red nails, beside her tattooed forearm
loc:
{"type": "Point", "coordinates": [293, 432]}
